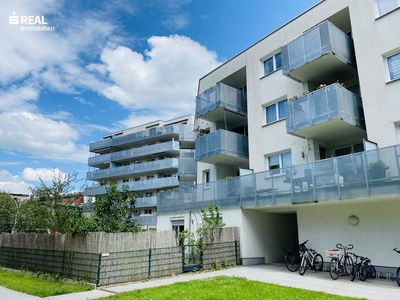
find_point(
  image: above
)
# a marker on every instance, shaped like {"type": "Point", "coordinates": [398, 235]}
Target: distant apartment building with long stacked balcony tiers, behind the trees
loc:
{"type": "Point", "coordinates": [148, 158]}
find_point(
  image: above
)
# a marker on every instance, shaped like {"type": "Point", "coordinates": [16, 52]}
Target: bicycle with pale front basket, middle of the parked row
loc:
{"type": "Point", "coordinates": [340, 263]}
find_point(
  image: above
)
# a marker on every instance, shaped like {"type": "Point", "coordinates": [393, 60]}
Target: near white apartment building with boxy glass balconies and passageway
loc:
{"type": "Point", "coordinates": [304, 136]}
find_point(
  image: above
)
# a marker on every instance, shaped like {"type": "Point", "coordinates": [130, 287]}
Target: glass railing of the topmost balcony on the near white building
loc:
{"type": "Point", "coordinates": [314, 44]}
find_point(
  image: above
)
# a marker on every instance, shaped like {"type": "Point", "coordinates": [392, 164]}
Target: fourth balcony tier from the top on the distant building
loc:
{"type": "Point", "coordinates": [141, 185]}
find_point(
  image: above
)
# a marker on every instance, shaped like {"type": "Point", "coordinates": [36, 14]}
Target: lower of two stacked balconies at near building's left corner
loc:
{"type": "Point", "coordinates": [223, 147]}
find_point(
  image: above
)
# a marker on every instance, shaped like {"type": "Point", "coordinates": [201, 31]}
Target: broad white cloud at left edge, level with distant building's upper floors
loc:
{"type": "Point", "coordinates": [41, 137]}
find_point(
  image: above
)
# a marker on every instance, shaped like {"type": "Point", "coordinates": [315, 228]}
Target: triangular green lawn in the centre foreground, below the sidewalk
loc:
{"type": "Point", "coordinates": [221, 288]}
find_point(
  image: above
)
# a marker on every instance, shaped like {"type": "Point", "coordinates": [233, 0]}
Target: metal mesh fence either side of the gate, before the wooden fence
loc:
{"type": "Point", "coordinates": [104, 269]}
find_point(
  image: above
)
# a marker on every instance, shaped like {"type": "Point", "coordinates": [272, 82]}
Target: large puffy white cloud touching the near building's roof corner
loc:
{"type": "Point", "coordinates": [165, 77]}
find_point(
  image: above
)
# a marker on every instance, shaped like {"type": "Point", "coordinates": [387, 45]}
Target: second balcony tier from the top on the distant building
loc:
{"type": "Point", "coordinates": [167, 148]}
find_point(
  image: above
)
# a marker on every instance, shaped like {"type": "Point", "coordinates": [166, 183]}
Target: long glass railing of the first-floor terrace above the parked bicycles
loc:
{"type": "Point", "coordinates": [363, 175]}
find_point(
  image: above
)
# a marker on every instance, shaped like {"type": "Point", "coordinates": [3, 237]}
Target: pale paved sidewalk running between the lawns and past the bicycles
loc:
{"type": "Point", "coordinates": [278, 274]}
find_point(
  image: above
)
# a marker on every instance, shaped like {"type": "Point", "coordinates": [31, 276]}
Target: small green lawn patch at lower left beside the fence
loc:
{"type": "Point", "coordinates": [32, 285]}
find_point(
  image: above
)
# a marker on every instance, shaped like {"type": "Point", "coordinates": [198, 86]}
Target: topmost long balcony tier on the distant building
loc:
{"type": "Point", "coordinates": [182, 132]}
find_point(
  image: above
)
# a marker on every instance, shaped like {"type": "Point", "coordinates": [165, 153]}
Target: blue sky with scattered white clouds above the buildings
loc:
{"type": "Point", "coordinates": [99, 66]}
